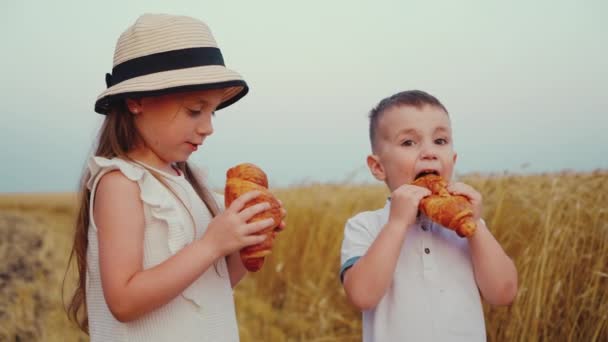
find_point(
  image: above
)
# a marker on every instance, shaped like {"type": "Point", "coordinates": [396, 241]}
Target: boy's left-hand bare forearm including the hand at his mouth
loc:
{"type": "Point", "coordinates": [368, 279]}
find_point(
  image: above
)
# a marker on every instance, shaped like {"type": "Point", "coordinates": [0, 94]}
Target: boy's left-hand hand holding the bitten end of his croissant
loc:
{"type": "Point", "coordinates": [404, 204]}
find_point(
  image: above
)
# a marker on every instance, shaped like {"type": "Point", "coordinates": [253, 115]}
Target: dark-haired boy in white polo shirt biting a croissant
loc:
{"type": "Point", "coordinates": [413, 279]}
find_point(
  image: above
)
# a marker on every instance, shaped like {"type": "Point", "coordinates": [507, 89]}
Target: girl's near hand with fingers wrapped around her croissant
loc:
{"type": "Point", "coordinates": [229, 231]}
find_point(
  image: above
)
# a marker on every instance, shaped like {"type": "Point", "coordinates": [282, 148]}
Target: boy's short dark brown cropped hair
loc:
{"type": "Point", "coordinates": [414, 98]}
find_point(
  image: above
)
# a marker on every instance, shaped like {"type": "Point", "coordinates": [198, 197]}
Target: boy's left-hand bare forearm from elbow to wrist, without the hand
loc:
{"type": "Point", "coordinates": [367, 280]}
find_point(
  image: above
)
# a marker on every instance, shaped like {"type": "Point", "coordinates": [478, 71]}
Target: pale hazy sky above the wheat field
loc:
{"type": "Point", "coordinates": [525, 83]}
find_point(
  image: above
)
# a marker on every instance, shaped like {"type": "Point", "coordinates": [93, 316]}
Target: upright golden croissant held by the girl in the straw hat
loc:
{"type": "Point", "coordinates": [239, 180]}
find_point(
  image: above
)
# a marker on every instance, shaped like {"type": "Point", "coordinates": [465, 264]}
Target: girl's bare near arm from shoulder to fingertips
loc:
{"type": "Point", "coordinates": [131, 291]}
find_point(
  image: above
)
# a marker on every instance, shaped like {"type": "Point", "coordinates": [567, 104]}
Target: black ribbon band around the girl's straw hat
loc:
{"type": "Point", "coordinates": [164, 61]}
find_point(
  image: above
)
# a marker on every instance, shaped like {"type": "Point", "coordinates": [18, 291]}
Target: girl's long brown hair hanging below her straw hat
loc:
{"type": "Point", "coordinates": [118, 136]}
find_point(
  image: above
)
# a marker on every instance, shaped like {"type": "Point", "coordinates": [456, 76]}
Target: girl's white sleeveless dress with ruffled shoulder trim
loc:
{"type": "Point", "coordinates": [205, 310]}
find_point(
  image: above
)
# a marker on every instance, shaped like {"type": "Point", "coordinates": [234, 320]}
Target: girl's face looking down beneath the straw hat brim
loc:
{"type": "Point", "coordinates": [173, 126]}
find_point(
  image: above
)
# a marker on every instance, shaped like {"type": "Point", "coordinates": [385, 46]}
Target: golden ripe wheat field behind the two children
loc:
{"type": "Point", "coordinates": [555, 226]}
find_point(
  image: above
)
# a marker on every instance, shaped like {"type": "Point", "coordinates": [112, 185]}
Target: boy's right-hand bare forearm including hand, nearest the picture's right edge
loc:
{"type": "Point", "coordinates": [495, 272]}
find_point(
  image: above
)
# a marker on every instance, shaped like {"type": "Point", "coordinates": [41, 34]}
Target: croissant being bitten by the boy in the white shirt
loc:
{"type": "Point", "coordinates": [451, 211]}
